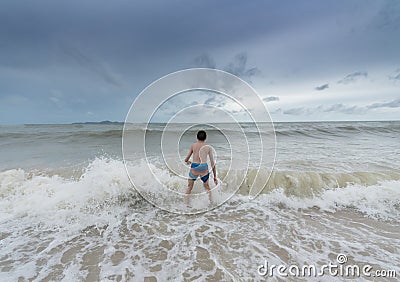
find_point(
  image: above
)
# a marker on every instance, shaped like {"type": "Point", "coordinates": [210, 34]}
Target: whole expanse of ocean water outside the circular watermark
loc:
{"type": "Point", "coordinates": [68, 211]}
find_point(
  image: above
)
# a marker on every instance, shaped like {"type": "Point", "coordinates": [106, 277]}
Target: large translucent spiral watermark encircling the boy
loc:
{"type": "Point", "coordinates": [193, 99]}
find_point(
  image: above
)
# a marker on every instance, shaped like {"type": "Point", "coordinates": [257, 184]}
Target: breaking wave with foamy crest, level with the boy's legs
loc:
{"type": "Point", "coordinates": [103, 185]}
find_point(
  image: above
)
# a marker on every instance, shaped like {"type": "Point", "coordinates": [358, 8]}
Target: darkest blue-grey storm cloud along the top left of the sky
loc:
{"type": "Point", "coordinates": [129, 28]}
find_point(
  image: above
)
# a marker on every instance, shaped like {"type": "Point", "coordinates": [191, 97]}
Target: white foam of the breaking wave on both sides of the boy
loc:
{"type": "Point", "coordinates": [104, 182]}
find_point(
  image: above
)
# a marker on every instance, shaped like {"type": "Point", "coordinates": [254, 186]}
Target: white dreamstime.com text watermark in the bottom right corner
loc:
{"type": "Point", "coordinates": [338, 269]}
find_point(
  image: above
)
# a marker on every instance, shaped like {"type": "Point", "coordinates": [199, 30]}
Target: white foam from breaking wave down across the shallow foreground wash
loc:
{"type": "Point", "coordinates": [80, 216]}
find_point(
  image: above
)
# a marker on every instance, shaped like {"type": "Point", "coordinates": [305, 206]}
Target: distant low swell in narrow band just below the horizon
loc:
{"type": "Point", "coordinates": [312, 129]}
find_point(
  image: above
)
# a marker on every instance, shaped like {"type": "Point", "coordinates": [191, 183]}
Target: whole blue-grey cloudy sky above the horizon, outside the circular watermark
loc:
{"type": "Point", "coordinates": [69, 61]}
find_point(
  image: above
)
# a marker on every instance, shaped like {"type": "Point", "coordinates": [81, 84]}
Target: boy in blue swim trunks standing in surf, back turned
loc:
{"type": "Point", "coordinates": [199, 166]}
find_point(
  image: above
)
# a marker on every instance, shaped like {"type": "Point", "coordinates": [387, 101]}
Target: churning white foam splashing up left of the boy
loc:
{"type": "Point", "coordinates": [61, 200]}
